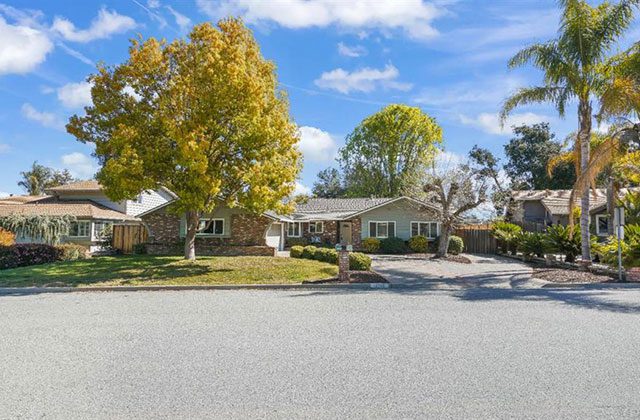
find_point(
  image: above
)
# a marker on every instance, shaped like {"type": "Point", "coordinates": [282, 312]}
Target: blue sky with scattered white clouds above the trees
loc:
{"type": "Point", "coordinates": [339, 61]}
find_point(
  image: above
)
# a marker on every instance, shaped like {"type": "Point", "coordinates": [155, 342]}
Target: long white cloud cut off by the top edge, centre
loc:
{"type": "Point", "coordinates": [413, 17]}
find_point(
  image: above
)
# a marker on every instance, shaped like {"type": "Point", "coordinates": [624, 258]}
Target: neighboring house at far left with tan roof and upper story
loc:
{"type": "Point", "coordinates": [86, 201]}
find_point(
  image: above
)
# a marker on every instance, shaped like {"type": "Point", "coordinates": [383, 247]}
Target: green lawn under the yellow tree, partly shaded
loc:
{"type": "Point", "coordinates": [151, 270]}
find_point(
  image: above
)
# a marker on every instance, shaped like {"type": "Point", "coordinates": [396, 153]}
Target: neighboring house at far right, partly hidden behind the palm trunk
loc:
{"type": "Point", "coordinates": [537, 209]}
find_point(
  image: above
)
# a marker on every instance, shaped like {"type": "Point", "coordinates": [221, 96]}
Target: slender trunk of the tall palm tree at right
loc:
{"type": "Point", "coordinates": [584, 117]}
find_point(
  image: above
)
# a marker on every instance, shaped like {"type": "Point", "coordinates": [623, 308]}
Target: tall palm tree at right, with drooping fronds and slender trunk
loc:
{"type": "Point", "coordinates": [575, 68]}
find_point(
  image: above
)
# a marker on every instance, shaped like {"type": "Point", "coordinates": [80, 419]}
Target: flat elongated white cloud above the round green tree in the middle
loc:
{"type": "Point", "coordinates": [363, 80]}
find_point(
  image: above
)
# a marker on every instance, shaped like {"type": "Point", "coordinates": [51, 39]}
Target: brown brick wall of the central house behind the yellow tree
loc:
{"type": "Point", "coordinates": [248, 236]}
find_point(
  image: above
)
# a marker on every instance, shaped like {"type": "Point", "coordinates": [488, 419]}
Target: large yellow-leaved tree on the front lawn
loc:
{"type": "Point", "coordinates": [201, 116]}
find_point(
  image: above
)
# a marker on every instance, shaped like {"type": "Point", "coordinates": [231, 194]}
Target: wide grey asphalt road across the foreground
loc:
{"type": "Point", "coordinates": [327, 354]}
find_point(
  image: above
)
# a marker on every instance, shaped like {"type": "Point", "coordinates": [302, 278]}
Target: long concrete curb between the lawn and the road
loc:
{"type": "Point", "coordinates": [306, 286]}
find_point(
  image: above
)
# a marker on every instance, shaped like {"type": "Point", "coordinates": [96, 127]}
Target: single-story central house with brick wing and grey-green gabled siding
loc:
{"type": "Point", "coordinates": [317, 220]}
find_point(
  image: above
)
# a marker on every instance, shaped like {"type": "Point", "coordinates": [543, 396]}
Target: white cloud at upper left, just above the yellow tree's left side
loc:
{"type": "Point", "coordinates": [104, 25]}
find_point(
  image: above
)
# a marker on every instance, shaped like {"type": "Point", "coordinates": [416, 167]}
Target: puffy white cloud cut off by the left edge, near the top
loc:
{"type": "Point", "coordinates": [22, 48]}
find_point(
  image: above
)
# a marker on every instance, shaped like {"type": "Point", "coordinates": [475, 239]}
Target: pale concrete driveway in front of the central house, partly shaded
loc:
{"type": "Point", "coordinates": [484, 271]}
